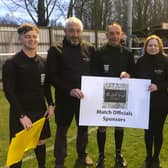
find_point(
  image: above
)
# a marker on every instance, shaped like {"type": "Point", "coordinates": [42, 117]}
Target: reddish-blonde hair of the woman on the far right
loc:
{"type": "Point", "coordinates": [159, 40]}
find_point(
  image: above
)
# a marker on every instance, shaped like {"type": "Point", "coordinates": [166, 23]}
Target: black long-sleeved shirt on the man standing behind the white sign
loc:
{"type": "Point", "coordinates": [111, 61]}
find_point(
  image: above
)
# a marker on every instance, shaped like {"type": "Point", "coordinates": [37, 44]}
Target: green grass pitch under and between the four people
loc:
{"type": "Point", "coordinates": [133, 146]}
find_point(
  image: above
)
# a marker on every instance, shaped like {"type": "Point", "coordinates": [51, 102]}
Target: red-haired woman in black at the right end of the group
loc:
{"type": "Point", "coordinates": [154, 65]}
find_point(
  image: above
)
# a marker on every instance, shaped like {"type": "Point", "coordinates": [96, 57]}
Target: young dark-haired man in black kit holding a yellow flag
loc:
{"type": "Point", "coordinates": [25, 88]}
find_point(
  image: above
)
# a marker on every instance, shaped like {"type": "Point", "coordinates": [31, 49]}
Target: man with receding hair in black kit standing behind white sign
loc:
{"type": "Point", "coordinates": [112, 60]}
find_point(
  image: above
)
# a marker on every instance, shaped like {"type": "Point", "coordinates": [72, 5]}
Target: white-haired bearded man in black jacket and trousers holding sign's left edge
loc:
{"type": "Point", "coordinates": [67, 62]}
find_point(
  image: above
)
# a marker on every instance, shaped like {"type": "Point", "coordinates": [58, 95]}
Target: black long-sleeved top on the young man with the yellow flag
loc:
{"type": "Point", "coordinates": [24, 85]}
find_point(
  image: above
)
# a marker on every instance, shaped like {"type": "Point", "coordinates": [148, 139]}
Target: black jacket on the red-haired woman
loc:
{"type": "Point", "coordinates": [155, 67]}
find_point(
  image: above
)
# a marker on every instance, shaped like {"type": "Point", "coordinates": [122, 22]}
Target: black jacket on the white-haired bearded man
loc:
{"type": "Point", "coordinates": [67, 63]}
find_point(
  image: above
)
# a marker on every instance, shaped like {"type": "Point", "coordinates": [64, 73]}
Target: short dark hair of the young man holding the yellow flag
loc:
{"type": "Point", "coordinates": [24, 28]}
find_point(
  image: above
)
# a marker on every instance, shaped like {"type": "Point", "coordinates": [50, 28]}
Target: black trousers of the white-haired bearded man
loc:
{"type": "Point", "coordinates": [65, 110]}
